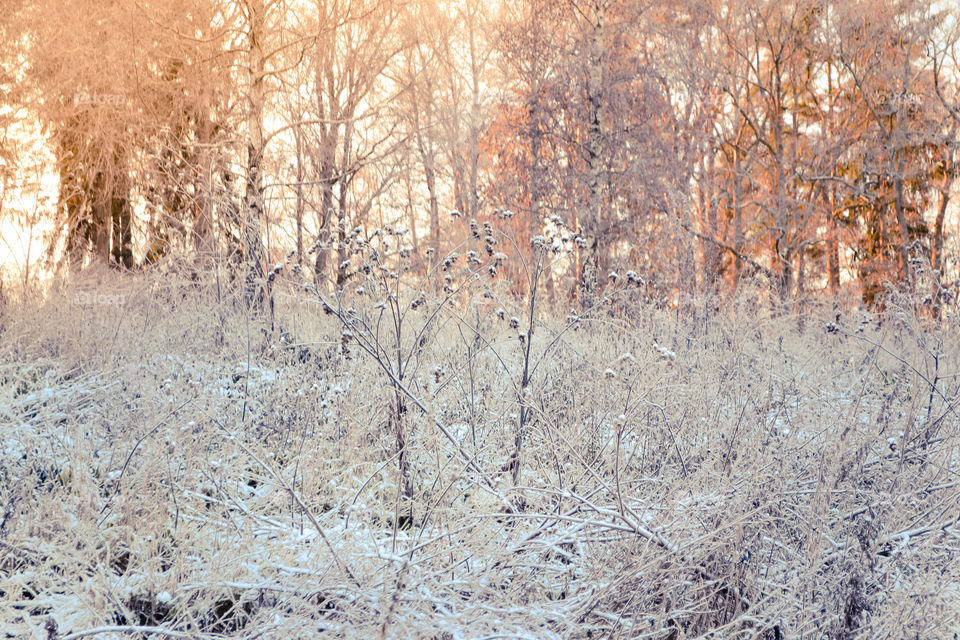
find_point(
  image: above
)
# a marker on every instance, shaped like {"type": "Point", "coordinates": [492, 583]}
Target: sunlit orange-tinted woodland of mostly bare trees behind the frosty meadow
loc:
{"type": "Point", "coordinates": [809, 144]}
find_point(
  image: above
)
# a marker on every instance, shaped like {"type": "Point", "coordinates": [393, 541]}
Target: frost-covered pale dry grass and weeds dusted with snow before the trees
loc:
{"type": "Point", "coordinates": [167, 464]}
